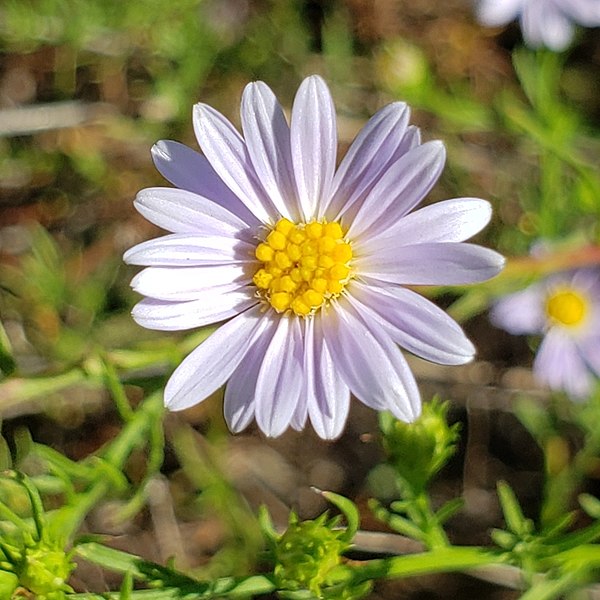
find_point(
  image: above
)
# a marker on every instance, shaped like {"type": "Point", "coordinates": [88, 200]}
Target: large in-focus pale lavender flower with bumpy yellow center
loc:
{"type": "Point", "coordinates": [305, 264]}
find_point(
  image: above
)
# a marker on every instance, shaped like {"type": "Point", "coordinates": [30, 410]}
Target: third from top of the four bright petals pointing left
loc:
{"type": "Point", "coordinates": [189, 283]}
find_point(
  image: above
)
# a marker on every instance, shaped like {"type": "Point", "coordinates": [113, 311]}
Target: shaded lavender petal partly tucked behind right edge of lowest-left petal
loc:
{"type": "Point", "coordinates": [240, 394]}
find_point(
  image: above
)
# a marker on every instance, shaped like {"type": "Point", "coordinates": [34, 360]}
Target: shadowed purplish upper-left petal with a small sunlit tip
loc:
{"type": "Point", "coordinates": [189, 170]}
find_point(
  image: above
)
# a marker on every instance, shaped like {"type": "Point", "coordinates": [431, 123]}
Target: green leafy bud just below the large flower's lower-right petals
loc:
{"type": "Point", "coordinates": [419, 450]}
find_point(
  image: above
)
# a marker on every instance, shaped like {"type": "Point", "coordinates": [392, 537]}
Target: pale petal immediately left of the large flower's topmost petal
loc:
{"type": "Point", "coordinates": [267, 136]}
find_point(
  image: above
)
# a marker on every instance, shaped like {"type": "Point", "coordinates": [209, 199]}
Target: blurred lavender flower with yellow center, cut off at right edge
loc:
{"type": "Point", "coordinates": [565, 308]}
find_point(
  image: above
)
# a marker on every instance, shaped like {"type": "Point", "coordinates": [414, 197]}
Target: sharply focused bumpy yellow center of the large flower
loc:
{"type": "Point", "coordinates": [304, 265]}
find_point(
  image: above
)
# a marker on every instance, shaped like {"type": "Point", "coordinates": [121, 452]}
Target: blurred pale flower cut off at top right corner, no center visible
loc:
{"type": "Point", "coordinates": [547, 23]}
